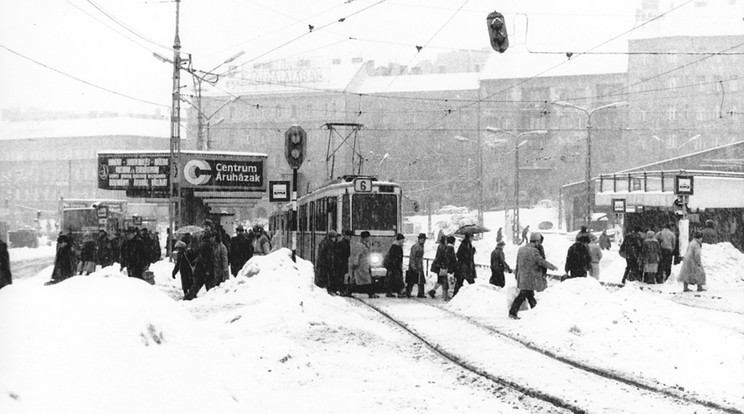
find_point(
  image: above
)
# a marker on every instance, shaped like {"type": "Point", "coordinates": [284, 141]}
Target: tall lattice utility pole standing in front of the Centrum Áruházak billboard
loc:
{"type": "Point", "coordinates": [174, 204]}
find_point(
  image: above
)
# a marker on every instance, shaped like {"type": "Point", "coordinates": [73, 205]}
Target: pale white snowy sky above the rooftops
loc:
{"type": "Point", "coordinates": [110, 44]}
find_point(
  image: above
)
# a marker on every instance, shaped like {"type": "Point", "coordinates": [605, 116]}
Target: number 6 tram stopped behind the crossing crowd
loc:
{"type": "Point", "coordinates": [356, 203]}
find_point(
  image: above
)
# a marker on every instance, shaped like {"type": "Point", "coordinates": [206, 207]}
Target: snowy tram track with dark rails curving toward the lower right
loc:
{"type": "Point", "coordinates": [490, 353]}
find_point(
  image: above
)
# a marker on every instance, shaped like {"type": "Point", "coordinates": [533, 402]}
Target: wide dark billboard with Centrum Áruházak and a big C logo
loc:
{"type": "Point", "coordinates": [149, 171]}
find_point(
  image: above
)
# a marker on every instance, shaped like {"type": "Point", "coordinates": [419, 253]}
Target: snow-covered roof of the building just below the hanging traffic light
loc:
{"type": "Point", "coordinates": [518, 63]}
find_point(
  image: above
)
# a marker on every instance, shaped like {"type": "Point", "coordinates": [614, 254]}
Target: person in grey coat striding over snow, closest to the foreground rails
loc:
{"type": "Point", "coordinates": [529, 274]}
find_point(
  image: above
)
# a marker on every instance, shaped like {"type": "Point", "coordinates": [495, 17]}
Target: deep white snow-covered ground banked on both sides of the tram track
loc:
{"type": "Point", "coordinates": [274, 343]}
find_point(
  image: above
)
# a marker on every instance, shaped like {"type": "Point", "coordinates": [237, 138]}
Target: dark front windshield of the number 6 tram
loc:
{"type": "Point", "coordinates": [375, 211]}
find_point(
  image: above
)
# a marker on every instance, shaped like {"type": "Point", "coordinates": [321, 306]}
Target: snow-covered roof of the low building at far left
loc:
{"type": "Point", "coordinates": [86, 127]}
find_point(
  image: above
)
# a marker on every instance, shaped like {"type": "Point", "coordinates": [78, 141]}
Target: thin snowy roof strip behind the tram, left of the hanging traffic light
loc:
{"type": "Point", "coordinates": [420, 83]}
